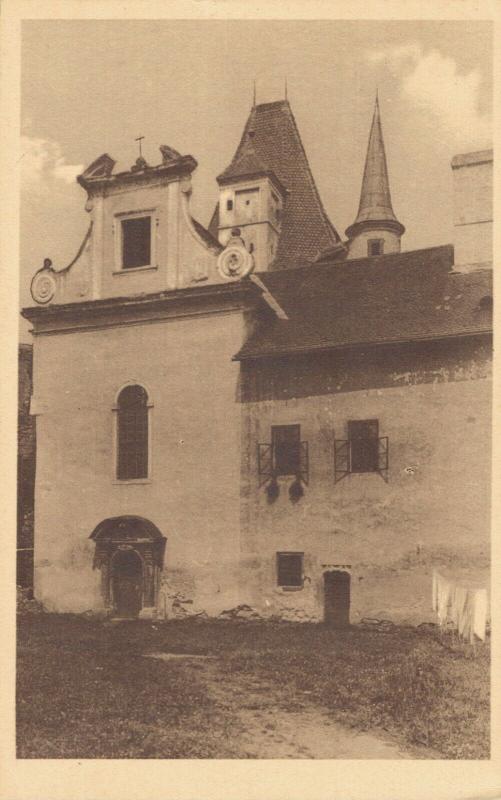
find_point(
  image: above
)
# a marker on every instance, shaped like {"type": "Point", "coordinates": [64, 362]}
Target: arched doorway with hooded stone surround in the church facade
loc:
{"type": "Point", "coordinates": [130, 553]}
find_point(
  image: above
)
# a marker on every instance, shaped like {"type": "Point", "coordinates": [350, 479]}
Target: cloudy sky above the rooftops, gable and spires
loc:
{"type": "Point", "coordinates": [90, 87]}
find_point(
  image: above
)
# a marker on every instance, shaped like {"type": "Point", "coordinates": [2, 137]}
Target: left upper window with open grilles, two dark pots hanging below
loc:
{"type": "Point", "coordinates": [285, 455]}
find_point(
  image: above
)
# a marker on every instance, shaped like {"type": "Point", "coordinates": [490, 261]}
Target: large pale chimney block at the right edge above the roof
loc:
{"type": "Point", "coordinates": [472, 177]}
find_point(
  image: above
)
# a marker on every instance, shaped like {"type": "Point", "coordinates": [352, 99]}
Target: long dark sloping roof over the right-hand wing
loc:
{"type": "Point", "coordinates": [393, 298]}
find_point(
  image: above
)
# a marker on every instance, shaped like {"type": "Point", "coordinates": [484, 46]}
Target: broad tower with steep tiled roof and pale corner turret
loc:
{"type": "Point", "coordinates": [269, 194]}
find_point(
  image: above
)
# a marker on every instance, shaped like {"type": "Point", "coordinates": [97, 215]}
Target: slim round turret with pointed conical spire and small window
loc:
{"type": "Point", "coordinates": [376, 230]}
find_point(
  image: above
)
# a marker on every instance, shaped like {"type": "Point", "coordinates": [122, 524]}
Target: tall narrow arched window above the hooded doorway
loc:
{"type": "Point", "coordinates": [132, 433]}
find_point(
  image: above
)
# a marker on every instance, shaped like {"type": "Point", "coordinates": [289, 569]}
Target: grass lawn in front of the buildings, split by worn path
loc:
{"type": "Point", "coordinates": [85, 690]}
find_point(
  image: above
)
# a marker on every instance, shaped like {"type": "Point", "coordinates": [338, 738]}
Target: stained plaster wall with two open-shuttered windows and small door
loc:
{"type": "Point", "coordinates": [434, 511]}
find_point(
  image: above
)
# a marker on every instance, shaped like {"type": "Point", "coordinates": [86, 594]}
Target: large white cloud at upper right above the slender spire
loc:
{"type": "Point", "coordinates": [433, 83]}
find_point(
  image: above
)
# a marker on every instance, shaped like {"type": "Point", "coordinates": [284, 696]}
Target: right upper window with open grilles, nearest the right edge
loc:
{"type": "Point", "coordinates": [363, 451]}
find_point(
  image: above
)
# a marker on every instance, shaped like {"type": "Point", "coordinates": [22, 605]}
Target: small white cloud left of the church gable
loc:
{"type": "Point", "coordinates": [42, 163]}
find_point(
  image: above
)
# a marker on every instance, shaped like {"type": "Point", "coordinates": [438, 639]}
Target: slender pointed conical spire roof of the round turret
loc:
{"type": "Point", "coordinates": [375, 198]}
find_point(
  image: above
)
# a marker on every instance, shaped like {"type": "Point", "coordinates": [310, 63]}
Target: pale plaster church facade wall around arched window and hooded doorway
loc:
{"type": "Point", "coordinates": [191, 495]}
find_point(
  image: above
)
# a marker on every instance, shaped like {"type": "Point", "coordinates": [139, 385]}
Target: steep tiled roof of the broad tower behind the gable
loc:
{"type": "Point", "coordinates": [271, 134]}
